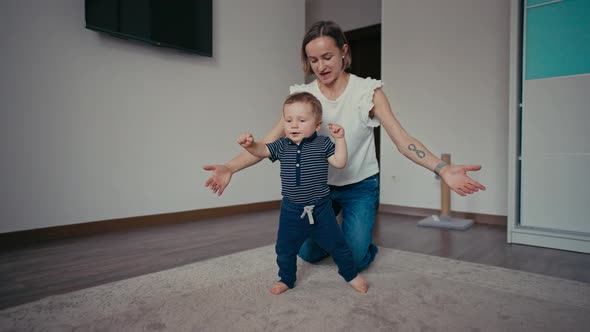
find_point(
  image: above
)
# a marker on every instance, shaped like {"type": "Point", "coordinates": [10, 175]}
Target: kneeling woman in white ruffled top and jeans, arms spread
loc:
{"type": "Point", "coordinates": [358, 105]}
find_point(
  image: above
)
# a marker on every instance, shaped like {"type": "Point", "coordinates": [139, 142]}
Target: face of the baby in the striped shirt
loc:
{"type": "Point", "coordinates": [299, 121]}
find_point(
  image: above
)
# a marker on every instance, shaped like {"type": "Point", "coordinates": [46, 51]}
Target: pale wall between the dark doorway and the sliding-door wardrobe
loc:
{"type": "Point", "coordinates": [445, 67]}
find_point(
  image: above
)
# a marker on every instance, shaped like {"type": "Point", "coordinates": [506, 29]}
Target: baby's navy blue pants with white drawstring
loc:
{"type": "Point", "coordinates": [325, 231]}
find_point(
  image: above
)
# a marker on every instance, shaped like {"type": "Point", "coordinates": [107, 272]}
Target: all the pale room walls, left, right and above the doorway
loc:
{"type": "Point", "coordinates": [95, 128]}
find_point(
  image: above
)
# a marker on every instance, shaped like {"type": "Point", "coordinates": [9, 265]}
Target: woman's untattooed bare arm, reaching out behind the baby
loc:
{"type": "Point", "coordinates": [221, 173]}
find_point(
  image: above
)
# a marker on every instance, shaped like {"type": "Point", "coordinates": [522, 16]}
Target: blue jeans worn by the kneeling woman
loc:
{"type": "Point", "coordinates": [358, 203]}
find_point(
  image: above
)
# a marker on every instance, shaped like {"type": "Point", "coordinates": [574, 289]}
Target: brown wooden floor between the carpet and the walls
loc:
{"type": "Point", "coordinates": [34, 272]}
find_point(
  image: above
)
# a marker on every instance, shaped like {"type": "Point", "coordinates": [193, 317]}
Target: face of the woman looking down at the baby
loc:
{"type": "Point", "coordinates": [325, 59]}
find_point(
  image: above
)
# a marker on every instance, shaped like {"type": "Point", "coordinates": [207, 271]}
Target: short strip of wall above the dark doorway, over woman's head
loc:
{"type": "Point", "coordinates": [349, 14]}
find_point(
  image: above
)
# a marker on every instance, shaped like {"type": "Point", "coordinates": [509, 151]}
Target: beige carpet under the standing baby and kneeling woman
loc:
{"type": "Point", "coordinates": [408, 292]}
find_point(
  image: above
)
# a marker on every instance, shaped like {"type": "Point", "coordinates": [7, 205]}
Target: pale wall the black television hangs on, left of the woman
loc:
{"type": "Point", "coordinates": [95, 128]}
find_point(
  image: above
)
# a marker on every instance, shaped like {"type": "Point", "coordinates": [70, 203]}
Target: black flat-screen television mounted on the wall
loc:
{"type": "Point", "coordinates": [179, 24]}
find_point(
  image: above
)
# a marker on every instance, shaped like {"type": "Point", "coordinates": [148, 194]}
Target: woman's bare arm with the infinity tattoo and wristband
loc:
{"type": "Point", "coordinates": [454, 175]}
